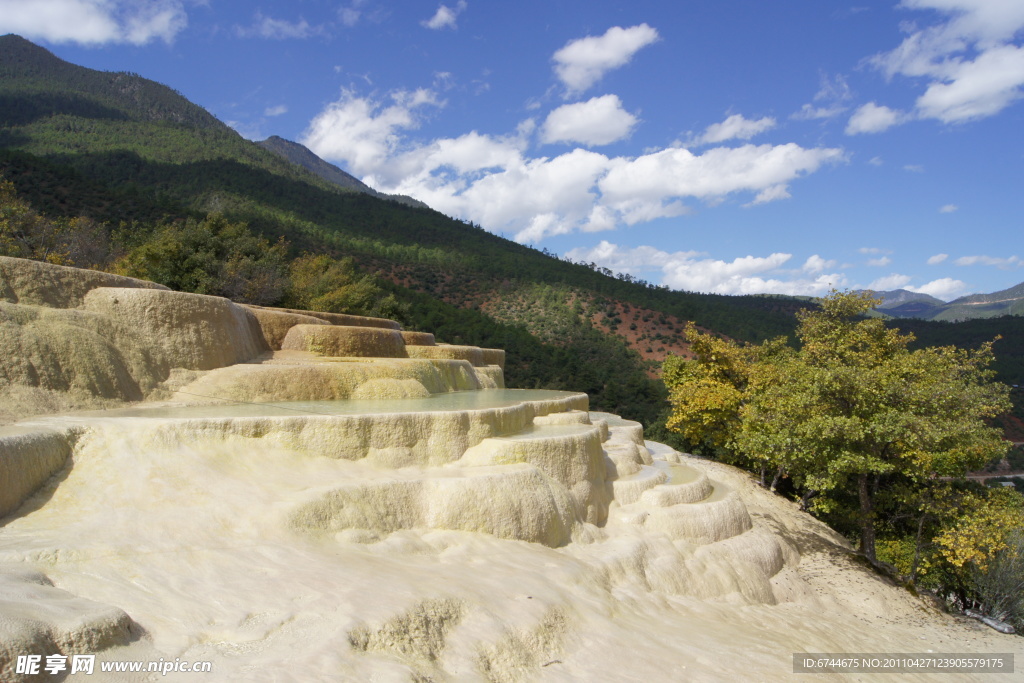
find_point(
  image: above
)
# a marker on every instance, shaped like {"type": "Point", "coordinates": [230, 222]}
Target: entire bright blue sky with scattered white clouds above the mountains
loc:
{"type": "Point", "coordinates": [735, 147]}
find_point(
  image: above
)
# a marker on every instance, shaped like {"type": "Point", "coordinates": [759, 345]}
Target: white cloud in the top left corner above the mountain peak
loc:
{"type": "Point", "coordinates": [94, 22]}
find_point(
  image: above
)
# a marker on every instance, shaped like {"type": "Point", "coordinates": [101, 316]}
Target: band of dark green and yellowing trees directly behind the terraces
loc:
{"type": "Point", "coordinates": [216, 255]}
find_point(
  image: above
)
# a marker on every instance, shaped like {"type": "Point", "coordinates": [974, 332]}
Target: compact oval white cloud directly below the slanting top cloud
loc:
{"type": "Point", "coordinates": [598, 121]}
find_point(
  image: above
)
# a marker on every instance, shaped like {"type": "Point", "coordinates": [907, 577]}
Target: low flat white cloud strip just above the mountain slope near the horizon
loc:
{"type": "Point", "coordinates": [688, 271]}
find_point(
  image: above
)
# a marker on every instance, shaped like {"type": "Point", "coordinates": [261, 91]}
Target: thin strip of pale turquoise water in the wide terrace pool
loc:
{"type": "Point", "coordinates": [456, 401]}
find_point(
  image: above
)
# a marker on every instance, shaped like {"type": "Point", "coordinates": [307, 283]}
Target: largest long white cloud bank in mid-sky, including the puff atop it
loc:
{"type": "Point", "coordinates": [492, 181]}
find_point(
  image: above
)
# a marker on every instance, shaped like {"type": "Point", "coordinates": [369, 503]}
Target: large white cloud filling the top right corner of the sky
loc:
{"type": "Point", "coordinates": [973, 66]}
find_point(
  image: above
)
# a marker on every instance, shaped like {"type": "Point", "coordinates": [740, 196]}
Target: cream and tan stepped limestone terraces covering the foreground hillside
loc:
{"type": "Point", "coordinates": [298, 497]}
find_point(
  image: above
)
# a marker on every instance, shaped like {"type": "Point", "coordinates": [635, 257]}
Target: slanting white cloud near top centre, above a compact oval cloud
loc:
{"type": "Point", "coordinates": [584, 62]}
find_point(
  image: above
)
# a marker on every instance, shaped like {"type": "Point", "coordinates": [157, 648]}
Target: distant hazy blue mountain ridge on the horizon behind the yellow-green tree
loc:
{"type": "Point", "coordinates": [904, 304]}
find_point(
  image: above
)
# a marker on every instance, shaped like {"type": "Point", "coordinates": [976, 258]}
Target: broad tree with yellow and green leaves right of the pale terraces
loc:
{"type": "Point", "coordinates": [852, 416]}
